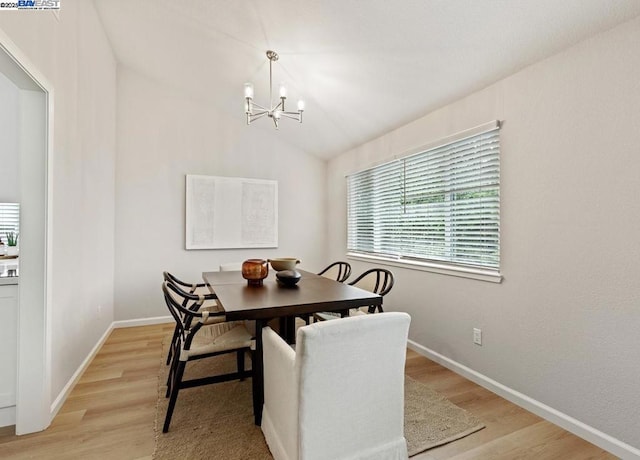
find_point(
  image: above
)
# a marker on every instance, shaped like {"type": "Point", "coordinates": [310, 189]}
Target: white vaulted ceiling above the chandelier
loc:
{"type": "Point", "coordinates": [364, 67]}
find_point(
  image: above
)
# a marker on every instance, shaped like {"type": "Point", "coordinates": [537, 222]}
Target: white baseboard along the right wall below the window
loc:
{"type": "Point", "coordinates": [586, 432]}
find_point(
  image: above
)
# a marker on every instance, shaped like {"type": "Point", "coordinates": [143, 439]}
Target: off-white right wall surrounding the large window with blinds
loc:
{"type": "Point", "coordinates": [564, 325]}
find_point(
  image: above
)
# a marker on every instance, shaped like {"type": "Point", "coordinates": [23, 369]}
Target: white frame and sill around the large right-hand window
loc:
{"type": "Point", "coordinates": [425, 263]}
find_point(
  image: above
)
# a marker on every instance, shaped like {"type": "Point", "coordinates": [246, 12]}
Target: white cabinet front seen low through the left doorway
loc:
{"type": "Point", "coordinates": [8, 352]}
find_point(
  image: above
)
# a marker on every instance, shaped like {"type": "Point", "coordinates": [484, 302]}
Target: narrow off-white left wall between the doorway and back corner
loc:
{"type": "Point", "coordinates": [74, 55]}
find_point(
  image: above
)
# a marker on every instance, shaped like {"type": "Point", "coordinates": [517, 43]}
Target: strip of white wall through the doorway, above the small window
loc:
{"type": "Point", "coordinates": [9, 187]}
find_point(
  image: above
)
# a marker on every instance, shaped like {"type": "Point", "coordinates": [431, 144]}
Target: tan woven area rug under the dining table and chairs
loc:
{"type": "Point", "coordinates": [216, 421]}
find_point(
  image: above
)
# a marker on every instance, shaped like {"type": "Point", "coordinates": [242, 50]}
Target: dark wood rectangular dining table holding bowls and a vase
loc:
{"type": "Point", "coordinates": [273, 300]}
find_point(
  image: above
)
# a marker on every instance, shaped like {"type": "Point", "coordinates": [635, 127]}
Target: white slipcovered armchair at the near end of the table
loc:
{"type": "Point", "coordinates": [340, 393]}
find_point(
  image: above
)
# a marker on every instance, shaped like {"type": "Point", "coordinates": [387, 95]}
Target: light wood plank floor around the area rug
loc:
{"type": "Point", "coordinates": [110, 412]}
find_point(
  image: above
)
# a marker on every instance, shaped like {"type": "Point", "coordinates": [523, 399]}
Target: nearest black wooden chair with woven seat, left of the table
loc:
{"type": "Point", "coordinates": [201, 334]}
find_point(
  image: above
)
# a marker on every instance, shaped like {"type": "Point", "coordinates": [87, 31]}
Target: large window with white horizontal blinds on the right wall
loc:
{"type": "Point", "coordinates": [439, 206]}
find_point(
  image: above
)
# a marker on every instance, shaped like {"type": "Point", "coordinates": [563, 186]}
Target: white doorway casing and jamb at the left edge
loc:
{"type": "Point", "coordinates": [35, 140]}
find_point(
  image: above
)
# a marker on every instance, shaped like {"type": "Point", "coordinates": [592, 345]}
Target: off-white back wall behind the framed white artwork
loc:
{"type": "Point", "coordinates": [163, 135]}
